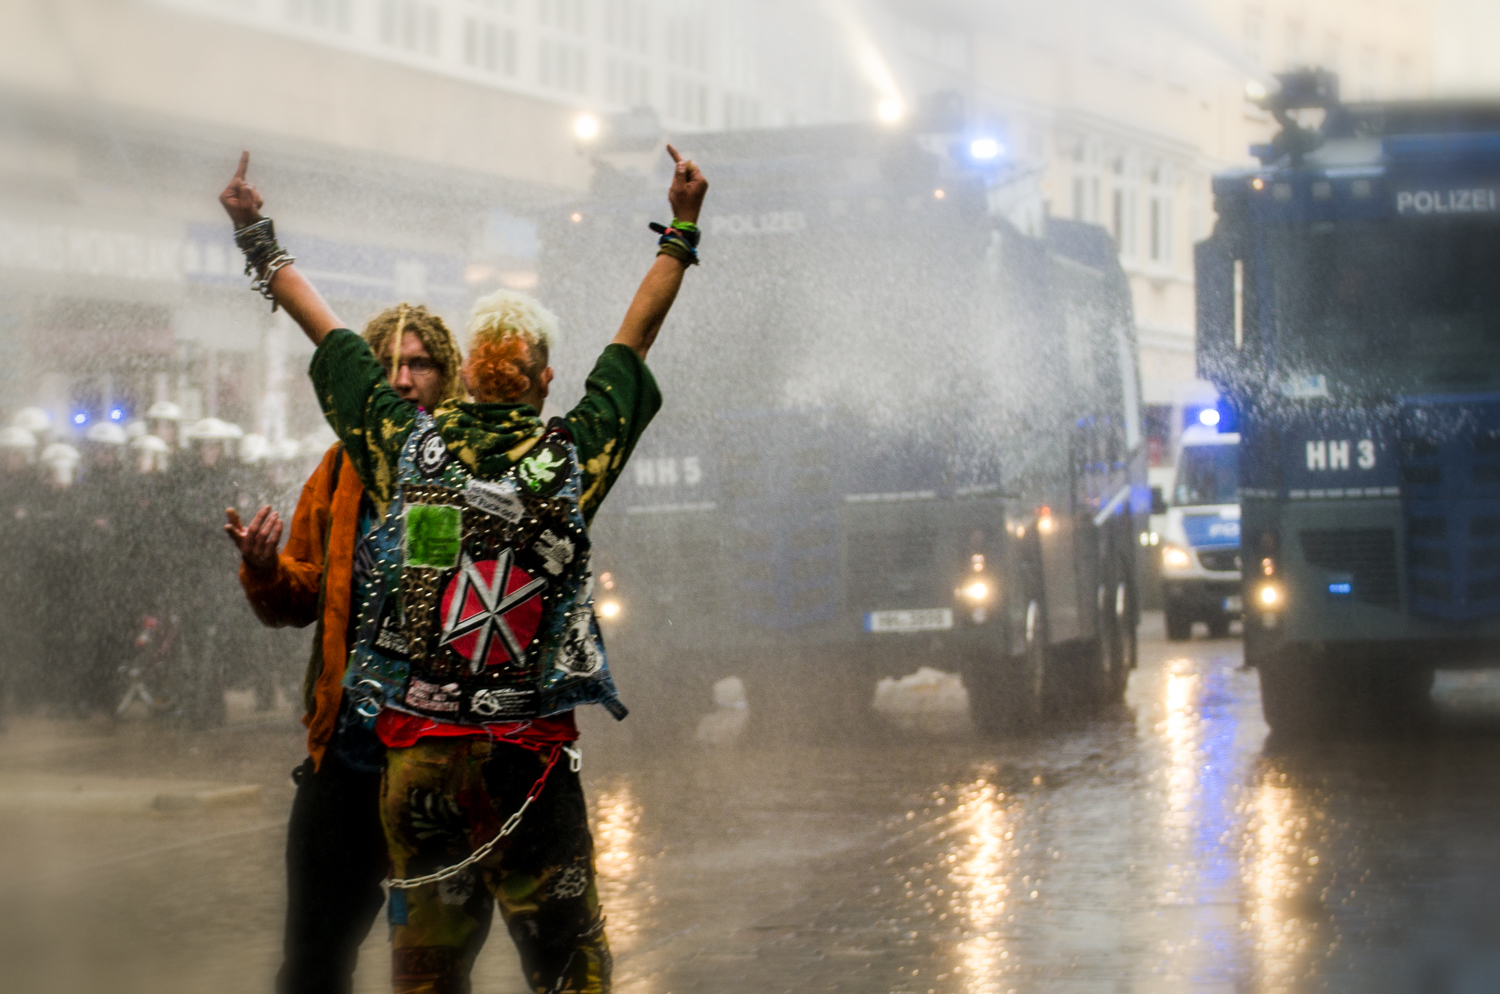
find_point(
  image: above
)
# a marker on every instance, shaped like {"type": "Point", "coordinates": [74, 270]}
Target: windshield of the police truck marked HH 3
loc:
{"type": "Point", "coordinates": [1388, 307]}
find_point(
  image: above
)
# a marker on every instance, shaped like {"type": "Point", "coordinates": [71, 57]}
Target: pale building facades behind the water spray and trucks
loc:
{"type": "Point", "coordinates": [410, 146]}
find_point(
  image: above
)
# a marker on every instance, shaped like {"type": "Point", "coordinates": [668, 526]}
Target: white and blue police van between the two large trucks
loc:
{"type": "Point", "coordinates": [1201, 566]}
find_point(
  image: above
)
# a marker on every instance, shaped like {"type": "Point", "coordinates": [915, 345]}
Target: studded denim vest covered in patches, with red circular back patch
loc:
{"type": "Point", "coordinates": [479, 600]}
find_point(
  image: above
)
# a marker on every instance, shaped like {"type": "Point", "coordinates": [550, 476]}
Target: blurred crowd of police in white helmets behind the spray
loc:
{"type": "Point", "coordinates": [121, 594]}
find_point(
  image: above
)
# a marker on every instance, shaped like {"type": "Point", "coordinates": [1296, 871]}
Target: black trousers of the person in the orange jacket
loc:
{"type": "Point", "coordinates": [335, 864]}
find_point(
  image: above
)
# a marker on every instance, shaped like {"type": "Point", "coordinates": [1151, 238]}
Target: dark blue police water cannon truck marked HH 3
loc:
{"type": "Point", "coordinates": [1349, 313]}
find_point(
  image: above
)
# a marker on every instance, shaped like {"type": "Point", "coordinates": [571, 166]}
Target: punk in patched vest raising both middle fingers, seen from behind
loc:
{"type": "Point", "coordinates": [478, 635]}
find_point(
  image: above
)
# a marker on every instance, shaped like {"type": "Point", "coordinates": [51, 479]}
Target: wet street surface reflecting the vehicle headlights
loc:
{"type": "Point", "coordinates": [1163, 848]}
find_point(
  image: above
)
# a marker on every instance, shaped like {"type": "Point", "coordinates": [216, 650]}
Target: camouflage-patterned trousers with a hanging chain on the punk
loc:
{"type": "Point", "coordinates": [443, 800]}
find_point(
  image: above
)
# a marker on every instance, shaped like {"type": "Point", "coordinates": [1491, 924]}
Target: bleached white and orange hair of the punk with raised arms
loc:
{"type": "Point", "coordinates": [511, 340]}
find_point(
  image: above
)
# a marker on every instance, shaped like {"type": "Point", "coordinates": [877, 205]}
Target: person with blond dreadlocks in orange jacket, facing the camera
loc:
{"type": "Point", "coordinates": [335, 843]}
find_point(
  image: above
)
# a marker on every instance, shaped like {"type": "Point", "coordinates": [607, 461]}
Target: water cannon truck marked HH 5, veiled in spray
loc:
{"type": "Point", "coordinates": [899, 431]}
